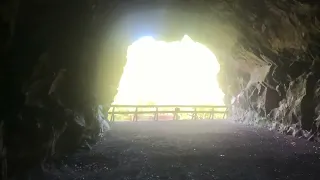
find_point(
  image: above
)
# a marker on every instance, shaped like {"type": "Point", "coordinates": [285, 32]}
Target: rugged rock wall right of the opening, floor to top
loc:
{"type": "Point", "coordinates": [285, 98]}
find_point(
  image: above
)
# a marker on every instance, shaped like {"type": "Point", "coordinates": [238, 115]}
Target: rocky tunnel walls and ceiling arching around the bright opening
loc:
{"type": "Point", "coordinates": [61, 63]}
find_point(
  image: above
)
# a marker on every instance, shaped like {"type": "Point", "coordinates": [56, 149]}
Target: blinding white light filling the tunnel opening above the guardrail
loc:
{"type": "Point", "coordinates": [180, 72]}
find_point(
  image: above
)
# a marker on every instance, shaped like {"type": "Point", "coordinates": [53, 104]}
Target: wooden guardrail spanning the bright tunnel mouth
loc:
{"type": "Point", "coordinates": [177, 109]}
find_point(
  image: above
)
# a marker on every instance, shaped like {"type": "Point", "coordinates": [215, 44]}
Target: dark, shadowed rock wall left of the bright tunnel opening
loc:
{"type": "Point", "coordinates": [48, 103]}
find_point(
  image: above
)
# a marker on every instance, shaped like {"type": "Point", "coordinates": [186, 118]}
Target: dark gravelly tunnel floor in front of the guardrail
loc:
{"type": "Point", "coordinates": [193, 150]}
